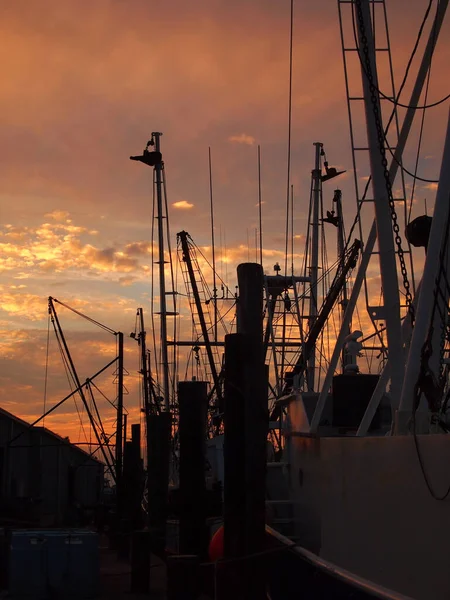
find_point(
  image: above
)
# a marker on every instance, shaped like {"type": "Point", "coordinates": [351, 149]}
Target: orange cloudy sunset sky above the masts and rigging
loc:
{"type": "Point", "coordinates": [85, 84]}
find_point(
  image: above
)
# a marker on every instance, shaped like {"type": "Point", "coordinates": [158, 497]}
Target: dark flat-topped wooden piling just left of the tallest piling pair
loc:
{"type": "Point", "coordinates": [193, 405]}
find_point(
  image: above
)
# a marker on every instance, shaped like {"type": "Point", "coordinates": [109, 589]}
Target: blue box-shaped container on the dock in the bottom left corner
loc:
{"type": "Point", "coordinates": [53, 564]}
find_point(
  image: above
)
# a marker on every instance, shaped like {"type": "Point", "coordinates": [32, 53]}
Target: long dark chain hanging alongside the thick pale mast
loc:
{"type": "Point", "coordinates": [381, 140]}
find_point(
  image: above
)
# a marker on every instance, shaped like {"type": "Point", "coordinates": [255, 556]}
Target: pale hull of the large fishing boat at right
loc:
{"type": "Point", "coordinates": [363, 503]}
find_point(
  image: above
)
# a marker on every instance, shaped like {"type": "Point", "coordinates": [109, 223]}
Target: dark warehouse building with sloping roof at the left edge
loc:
{"type": "Point", "coordinates": [44, 479]}
